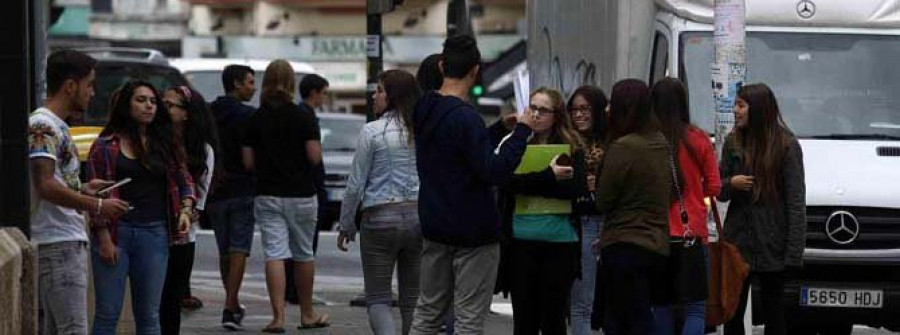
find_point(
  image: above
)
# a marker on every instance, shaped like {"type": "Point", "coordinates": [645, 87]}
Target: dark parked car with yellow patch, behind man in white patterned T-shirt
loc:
{"type": "Point", "coordinates": [116, 66]}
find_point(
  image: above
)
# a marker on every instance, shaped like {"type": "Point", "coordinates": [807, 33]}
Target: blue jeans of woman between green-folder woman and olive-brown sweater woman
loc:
{"type": "Point", "coordinates": [583, 289]}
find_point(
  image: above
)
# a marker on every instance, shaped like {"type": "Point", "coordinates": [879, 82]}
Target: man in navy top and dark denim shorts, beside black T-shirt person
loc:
{"type": "Point", "coordinates": [231, 213]}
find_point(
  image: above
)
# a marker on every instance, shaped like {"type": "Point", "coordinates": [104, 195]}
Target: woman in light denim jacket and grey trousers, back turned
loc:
{"type": "Point", "coordinates": [384, 185]}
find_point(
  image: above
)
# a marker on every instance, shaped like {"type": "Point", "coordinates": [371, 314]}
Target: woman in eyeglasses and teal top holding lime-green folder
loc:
{"type": "Point", "coordinates": [540, 258]}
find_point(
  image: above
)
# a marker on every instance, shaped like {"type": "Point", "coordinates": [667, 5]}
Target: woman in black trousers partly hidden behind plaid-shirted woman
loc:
{"type": "Point", "coordinates": [195, 130]}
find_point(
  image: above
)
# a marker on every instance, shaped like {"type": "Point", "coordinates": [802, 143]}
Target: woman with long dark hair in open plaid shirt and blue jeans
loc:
{"type": "Point", "coordinates": [138, 143]}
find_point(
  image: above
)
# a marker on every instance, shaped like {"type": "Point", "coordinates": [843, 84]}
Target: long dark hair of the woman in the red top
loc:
{"type": "Point", "coordinates": [669, 102]}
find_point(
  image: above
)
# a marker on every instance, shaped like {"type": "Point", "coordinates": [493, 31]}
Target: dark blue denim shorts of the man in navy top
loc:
{"type": "Point", "coordinates": [232, 221]}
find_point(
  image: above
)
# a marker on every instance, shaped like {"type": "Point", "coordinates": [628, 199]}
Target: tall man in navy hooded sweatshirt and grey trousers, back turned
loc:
{"type": "Point", "coordinates": [458, 166]}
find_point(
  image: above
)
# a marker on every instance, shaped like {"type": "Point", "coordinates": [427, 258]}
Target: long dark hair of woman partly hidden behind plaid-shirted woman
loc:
{"type": "Point", "coordinates": [199, 130]}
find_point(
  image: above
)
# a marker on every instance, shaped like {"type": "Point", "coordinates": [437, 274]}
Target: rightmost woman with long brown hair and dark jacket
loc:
{"type": "Point", "coordinates": [763, 177]}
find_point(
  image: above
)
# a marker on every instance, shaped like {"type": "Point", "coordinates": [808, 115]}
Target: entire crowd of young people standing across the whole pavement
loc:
{"type": "Point", "coordinates": [432, 191]}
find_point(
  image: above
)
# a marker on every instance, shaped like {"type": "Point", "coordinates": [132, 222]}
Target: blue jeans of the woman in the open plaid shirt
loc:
{"type": "Point", "coordinates": [143, 253]}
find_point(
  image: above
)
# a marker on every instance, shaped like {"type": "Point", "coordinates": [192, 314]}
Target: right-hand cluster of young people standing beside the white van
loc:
{"type": "Point", "coordinates": [433, 192]}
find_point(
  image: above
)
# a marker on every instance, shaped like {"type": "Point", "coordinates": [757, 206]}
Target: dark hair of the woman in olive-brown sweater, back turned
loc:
{"type": "Point", "coordinates": [629, 109]}
